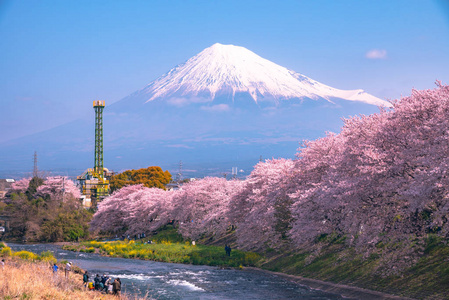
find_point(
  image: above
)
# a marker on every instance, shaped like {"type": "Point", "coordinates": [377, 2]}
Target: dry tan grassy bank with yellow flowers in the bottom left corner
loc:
{"type": "Point", "coordinates": [28, 275]}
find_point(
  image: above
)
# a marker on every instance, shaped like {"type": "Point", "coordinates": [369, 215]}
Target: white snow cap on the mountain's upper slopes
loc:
{"type": "Point", "coordinates": [232, 69]}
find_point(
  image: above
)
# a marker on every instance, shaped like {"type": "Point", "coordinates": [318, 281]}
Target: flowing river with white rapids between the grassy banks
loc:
{"type": "Point", "coordinates": [157, 280]}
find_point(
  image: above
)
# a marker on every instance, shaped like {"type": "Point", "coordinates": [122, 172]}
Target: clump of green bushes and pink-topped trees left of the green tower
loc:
{"type": "Point", "coordinates": [46, 210]}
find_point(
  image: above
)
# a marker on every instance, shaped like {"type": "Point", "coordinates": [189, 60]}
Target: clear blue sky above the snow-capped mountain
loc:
{"type": "Point", "coordinates": [58, 56]}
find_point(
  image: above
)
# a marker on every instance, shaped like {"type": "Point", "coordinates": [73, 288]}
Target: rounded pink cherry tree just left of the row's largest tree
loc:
{"type": "Point", "coordinates": [261, 211]}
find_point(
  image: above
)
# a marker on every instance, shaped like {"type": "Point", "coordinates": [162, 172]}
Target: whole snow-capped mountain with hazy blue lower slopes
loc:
{"type": "Point", "coordinates": [224, 107]}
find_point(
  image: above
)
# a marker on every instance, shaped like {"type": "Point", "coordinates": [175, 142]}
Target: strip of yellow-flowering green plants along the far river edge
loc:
{"type": "Point", "coordinates": [176, 253]}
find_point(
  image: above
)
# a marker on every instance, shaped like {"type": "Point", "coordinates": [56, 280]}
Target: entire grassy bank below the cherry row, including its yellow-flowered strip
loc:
{"type": "Point", "coordinates": [428, 278]}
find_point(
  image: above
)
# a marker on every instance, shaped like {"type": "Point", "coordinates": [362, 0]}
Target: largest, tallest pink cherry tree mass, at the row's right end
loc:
{"type": "Point", "coordinates": [383, 177]}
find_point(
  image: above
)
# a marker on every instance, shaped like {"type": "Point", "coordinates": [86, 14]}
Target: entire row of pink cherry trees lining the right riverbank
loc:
{"type": "Point", "coordinates": [383, 178]}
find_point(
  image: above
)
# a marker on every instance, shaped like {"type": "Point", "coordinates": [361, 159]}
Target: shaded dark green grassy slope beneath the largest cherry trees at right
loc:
{"type": "Point", "coordinates": [428, 278]}
